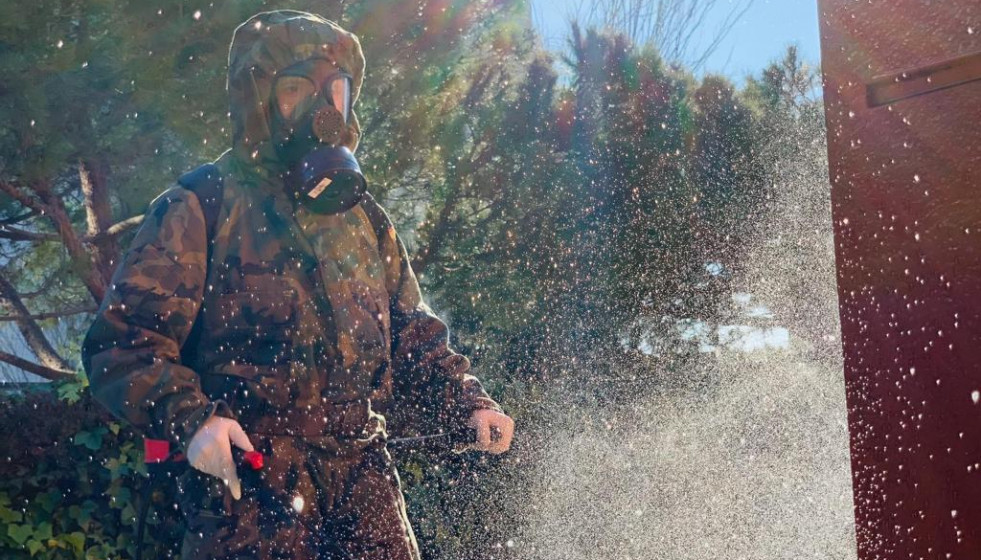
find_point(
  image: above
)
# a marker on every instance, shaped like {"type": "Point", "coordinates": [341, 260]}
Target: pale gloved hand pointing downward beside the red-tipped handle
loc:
{"type": "Point", "coordinates": [210, 450]}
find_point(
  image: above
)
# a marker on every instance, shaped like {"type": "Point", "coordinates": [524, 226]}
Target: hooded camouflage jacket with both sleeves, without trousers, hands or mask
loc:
{"type": "Point", "coordinates": [297, 309]}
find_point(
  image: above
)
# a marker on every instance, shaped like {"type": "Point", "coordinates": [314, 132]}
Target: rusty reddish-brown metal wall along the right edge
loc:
{"type": "Point", "coordinates": [903, 105]}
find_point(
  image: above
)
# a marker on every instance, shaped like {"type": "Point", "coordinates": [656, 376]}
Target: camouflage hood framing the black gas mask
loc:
{"type": "Point", "coordinates": [262, 46]}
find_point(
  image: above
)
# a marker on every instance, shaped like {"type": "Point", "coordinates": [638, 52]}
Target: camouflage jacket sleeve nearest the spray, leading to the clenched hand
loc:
{"type": "Point", "coordinates": [431, 381]}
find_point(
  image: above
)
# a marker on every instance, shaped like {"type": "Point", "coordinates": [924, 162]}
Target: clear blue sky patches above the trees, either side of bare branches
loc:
{"type": "Point", "coordinates": [760, 36]}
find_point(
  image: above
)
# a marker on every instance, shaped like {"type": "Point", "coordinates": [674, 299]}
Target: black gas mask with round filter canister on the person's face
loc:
{"type": "Point", "coordinates": [322, 175]}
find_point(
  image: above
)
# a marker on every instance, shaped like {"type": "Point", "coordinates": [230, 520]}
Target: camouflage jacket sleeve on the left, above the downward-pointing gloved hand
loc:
{"type": "Point", "coordinates": [131, 353]}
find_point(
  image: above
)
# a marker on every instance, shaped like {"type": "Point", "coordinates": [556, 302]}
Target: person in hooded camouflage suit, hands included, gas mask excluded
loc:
{"type": "Point", "coordinates": [313, 340]}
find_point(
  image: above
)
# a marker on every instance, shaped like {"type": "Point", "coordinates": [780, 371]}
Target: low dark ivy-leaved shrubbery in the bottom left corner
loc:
{"type": "Point", "coordinates": [69, 481]}
